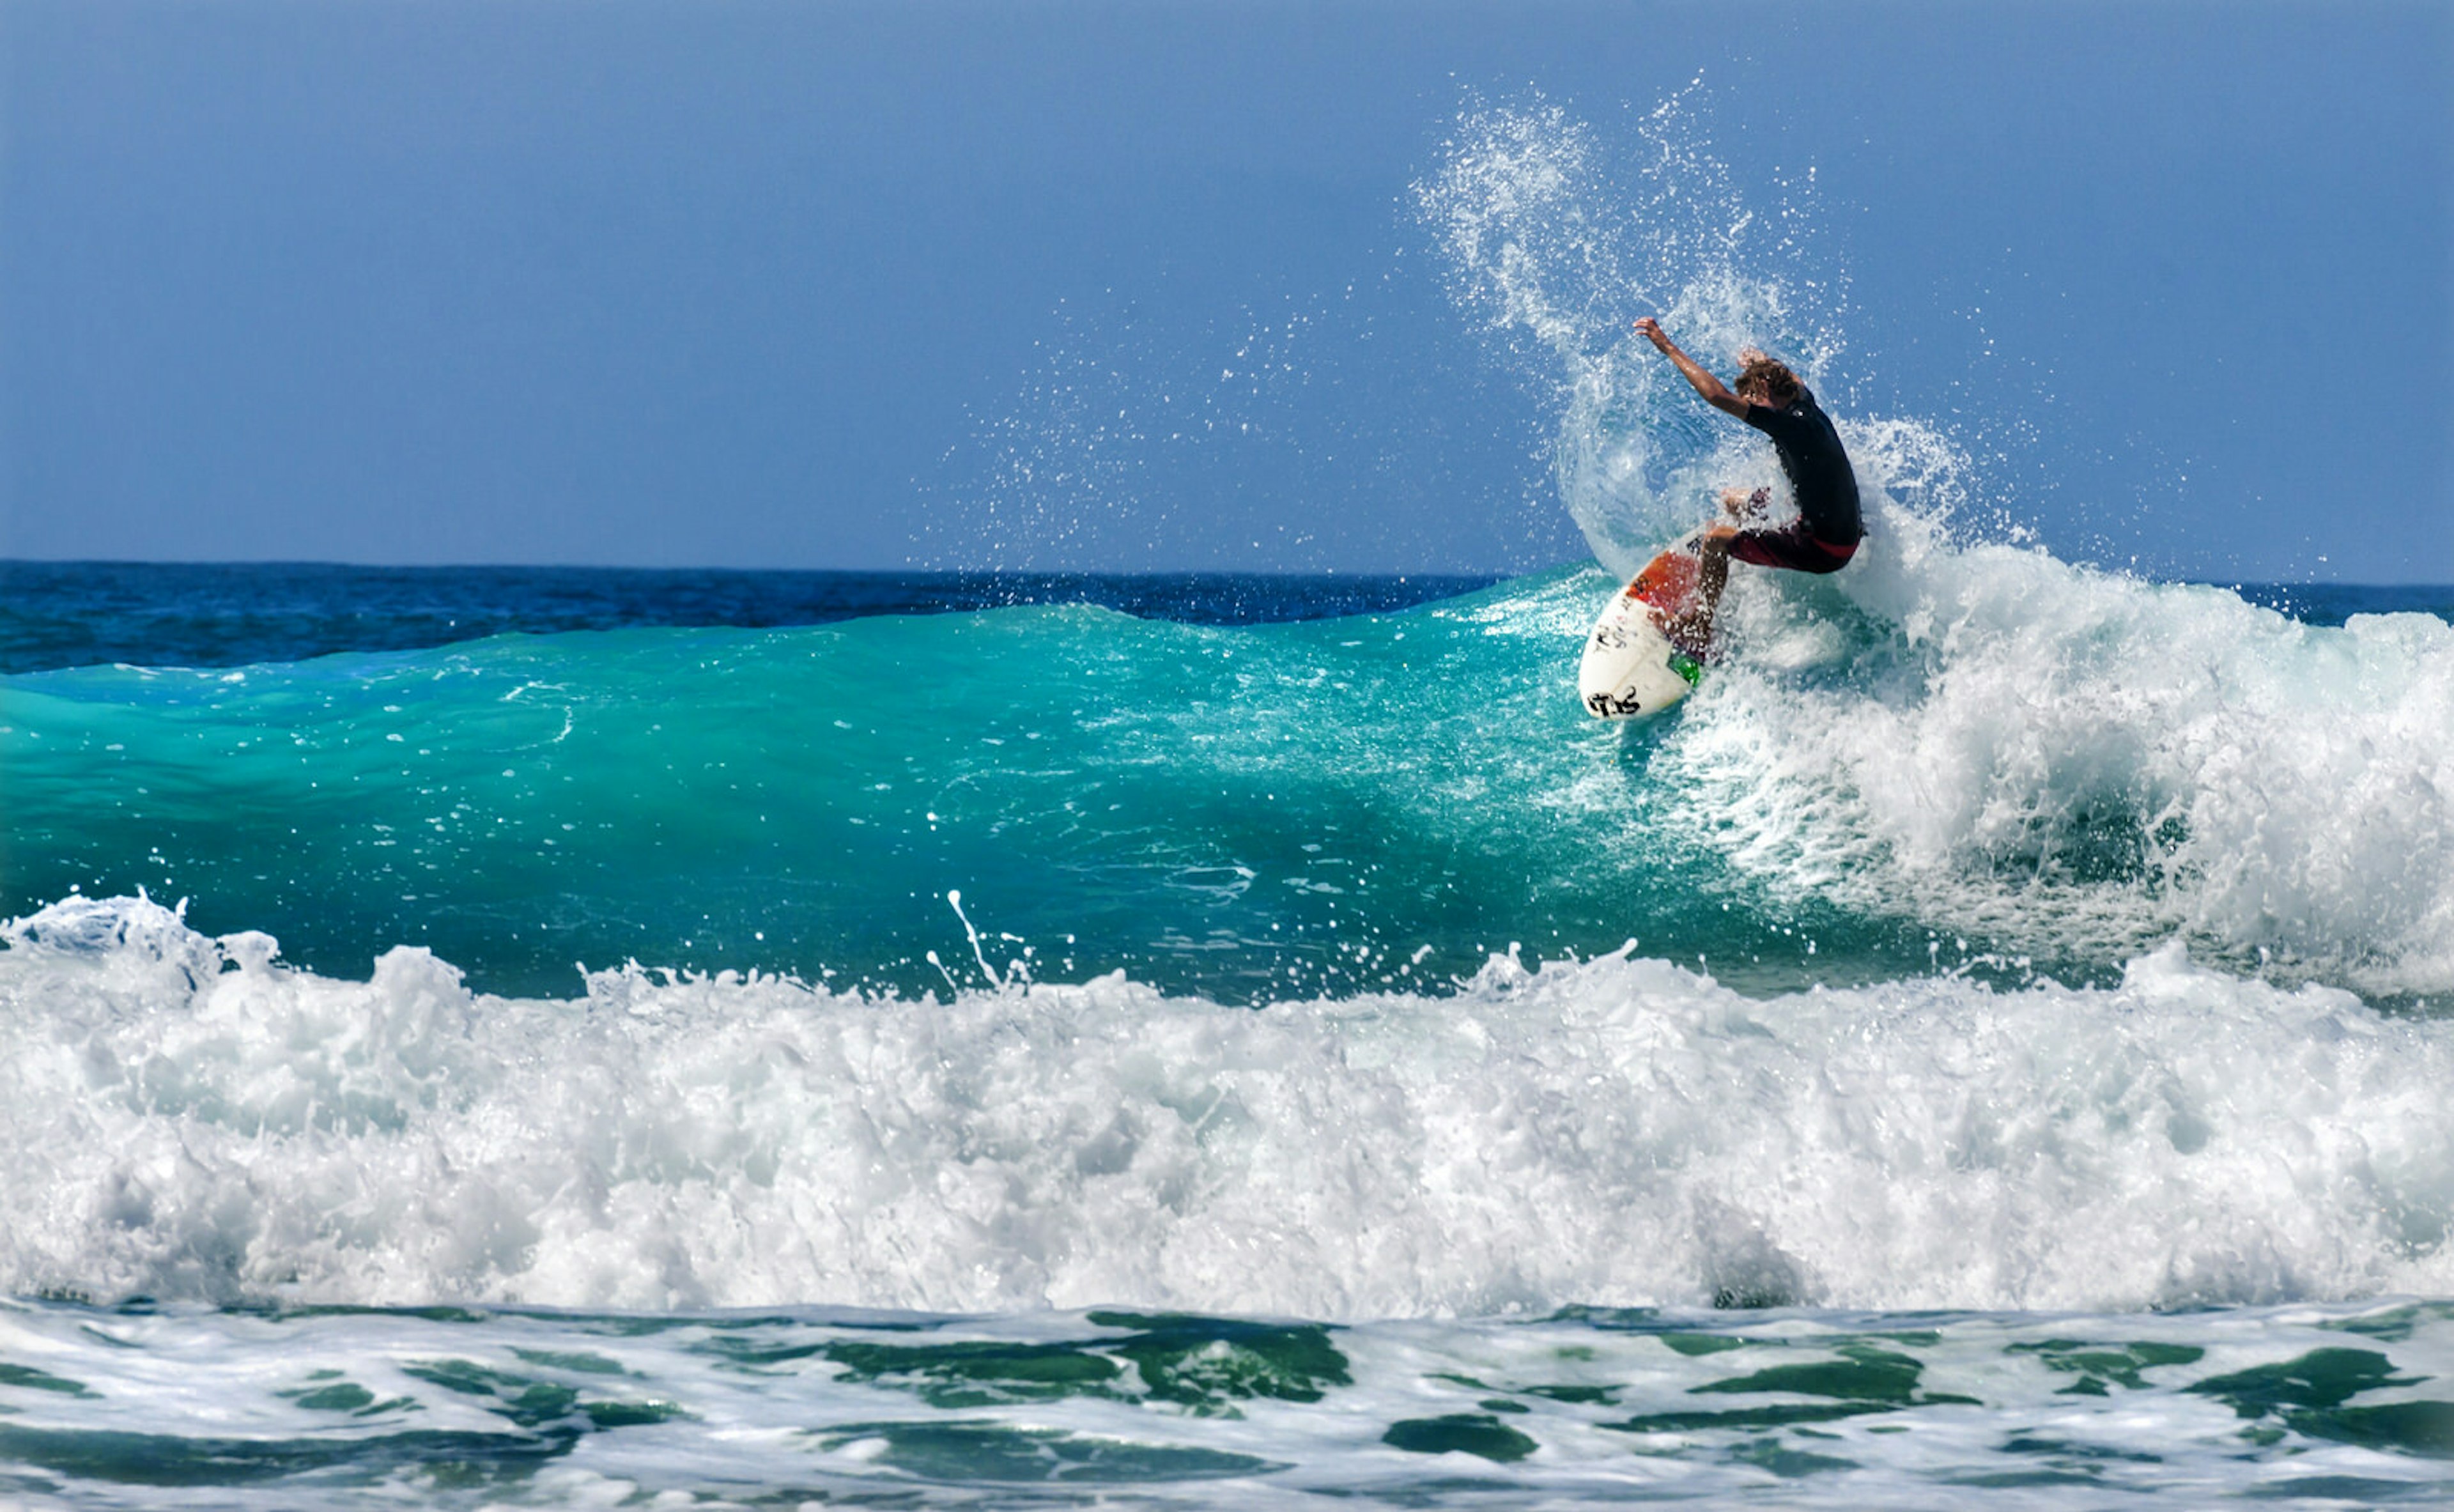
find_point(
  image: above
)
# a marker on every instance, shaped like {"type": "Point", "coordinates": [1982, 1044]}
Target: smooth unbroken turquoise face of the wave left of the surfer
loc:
{"type": "Point", "coordinates": [1236, 811]}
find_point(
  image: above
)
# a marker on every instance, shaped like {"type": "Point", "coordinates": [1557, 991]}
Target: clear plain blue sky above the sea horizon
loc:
{"type": "Point", "coordinates": [806, 283]}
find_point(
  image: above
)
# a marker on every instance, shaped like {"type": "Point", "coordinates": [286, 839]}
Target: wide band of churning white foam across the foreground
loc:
{"type": "Point", "coordinates": [1609, 1133]}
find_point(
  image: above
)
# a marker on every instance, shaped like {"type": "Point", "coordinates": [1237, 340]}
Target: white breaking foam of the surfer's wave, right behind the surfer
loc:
{"type": "Point", "coordinates": [2077, 762]}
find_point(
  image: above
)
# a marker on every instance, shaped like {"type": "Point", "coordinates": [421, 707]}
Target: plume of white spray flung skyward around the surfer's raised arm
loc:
{"type": "Point", "coordinates": [1555, 239]}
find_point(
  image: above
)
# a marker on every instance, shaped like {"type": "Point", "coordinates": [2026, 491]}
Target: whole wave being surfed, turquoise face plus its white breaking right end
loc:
{"type": "Point", "coordinates": [1945, 760]}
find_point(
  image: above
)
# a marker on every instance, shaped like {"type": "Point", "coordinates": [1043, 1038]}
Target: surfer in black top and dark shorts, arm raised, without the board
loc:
{"type": "Point", "coordinates": [1827, 531]}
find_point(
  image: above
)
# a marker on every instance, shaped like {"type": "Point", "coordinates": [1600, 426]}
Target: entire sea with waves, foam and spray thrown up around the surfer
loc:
{"type": "Point", "coordinates": [708, 1039]}
